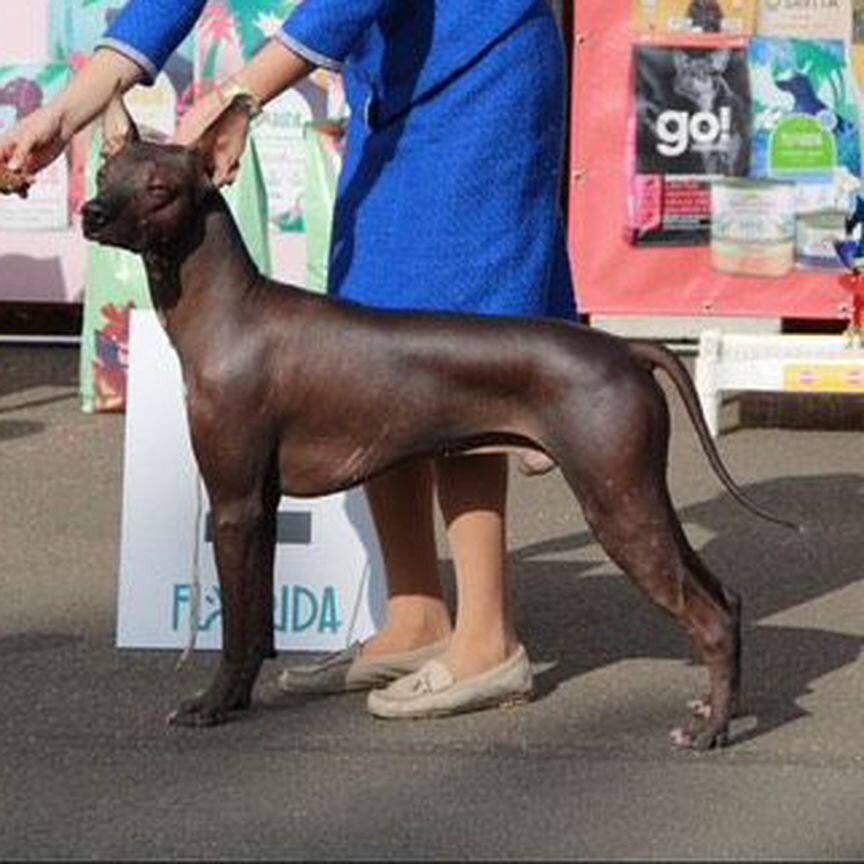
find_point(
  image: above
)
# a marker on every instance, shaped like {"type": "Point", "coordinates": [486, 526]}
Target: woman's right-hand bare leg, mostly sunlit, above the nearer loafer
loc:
{"type": "Point", "coordinates": [472, 492]}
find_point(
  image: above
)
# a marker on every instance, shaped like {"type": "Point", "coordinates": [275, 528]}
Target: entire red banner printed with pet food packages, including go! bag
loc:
{"type": "Point", "coordinates": [716, 155]}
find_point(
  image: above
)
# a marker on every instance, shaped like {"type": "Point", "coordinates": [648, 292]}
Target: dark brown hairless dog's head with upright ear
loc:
{"type": "Point", "coordinates": [149, 194]}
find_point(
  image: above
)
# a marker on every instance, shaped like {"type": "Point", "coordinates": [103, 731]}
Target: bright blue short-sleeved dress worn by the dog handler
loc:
{"type": "Point", "coordinates": [449, 197]}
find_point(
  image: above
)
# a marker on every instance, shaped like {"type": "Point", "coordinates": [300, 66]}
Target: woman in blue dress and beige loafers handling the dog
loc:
{"type": "Point", "coordinates": [448, 201]}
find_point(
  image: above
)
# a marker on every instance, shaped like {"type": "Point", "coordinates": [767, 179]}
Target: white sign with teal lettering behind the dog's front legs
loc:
{"type": "Point", "coordinates": [329, 582]}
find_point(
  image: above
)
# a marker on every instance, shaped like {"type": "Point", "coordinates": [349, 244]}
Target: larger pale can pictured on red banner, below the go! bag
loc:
{"type": "Point", "coordinates": [753, 227]}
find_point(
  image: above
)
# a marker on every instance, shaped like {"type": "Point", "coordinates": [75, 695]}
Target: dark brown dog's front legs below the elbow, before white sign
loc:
{"type": "Point", "coordinates": [245, 538]}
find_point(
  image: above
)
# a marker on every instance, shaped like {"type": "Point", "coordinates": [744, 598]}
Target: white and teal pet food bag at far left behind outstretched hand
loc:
{"type": "Point", "coordinates": [23, 89]}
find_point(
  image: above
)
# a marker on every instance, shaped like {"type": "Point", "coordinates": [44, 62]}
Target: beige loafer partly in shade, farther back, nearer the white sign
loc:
{"type": "Point", "coordinates": [348, 670]}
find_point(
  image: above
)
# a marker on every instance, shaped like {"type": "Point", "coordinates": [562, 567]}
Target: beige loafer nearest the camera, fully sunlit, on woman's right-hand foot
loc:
{"type": "Point", "coordinates": [433, 692]}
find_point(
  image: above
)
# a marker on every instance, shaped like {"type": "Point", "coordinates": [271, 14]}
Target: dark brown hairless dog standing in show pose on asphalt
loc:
{"type": "Point", "coordinates": [289, 392]}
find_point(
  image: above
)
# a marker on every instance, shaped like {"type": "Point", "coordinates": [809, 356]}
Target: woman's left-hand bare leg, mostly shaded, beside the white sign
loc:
{"type": "Point", "coordinates": [401, 504]}
